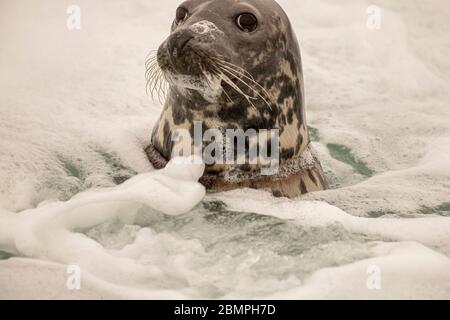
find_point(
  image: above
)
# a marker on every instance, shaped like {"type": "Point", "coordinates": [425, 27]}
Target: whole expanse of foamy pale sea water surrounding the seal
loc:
{"type": "Point", "coordinates": [74, 118]}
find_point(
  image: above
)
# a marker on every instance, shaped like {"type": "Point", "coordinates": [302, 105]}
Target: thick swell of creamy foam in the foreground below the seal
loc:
{"type": "Point", "coordinates": [128, 259]}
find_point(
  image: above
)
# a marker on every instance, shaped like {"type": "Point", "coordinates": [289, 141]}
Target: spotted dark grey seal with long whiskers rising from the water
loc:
{"type": "Point", "coordinates": [263, 89]}
